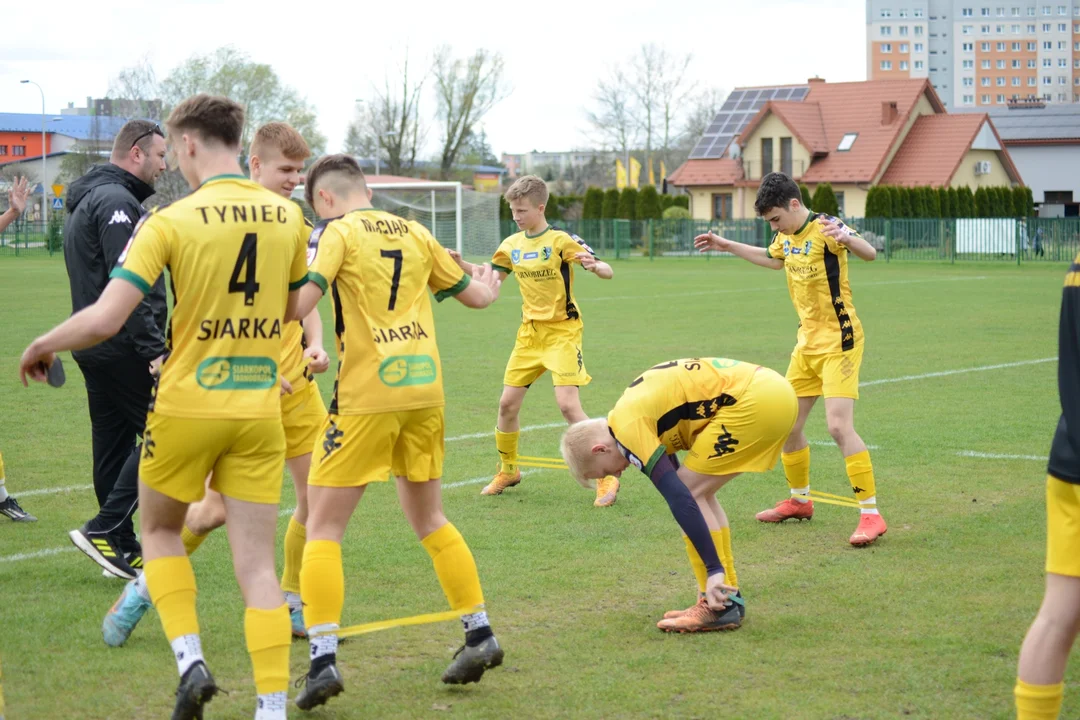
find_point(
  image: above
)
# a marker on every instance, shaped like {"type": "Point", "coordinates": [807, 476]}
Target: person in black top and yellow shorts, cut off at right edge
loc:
{"type": "Point", "coordinates": [1041, 688]}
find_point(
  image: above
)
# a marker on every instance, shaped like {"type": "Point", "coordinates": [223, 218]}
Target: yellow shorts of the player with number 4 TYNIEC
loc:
{"type": "Point", "coordinates": [248, 458]}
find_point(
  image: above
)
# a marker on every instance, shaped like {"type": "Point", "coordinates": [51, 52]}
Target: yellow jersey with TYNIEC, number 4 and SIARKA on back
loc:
{"type": "Point", "coordinates": [234, 250]}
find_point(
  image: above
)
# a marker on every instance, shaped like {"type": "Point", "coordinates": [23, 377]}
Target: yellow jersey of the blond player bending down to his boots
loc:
{"type": "Point", "coordinates": [670, 404]}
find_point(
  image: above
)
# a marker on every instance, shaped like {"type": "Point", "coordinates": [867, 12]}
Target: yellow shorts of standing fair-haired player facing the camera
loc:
{"type": "Point", "coordinates": [542, 347]}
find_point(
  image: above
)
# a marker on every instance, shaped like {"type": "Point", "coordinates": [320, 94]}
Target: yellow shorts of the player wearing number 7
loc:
{"type": "Point", "coordinates": [358, 450]}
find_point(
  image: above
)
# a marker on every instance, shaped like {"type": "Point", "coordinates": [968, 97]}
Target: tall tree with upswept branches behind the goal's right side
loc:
{"type": "Point", "coordinates": [467, 90]}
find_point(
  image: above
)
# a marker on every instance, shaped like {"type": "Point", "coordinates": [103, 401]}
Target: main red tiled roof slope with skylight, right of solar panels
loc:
{"type": "Point", "coordinates": [856, 107]}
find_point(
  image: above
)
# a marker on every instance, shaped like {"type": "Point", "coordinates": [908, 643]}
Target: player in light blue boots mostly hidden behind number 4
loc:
{"type": "Point", "coordinates": [277, 160]}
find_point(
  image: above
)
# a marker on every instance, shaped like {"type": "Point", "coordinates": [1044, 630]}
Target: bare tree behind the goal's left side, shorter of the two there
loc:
{"type": "Point", "coordinates": [390, 123]}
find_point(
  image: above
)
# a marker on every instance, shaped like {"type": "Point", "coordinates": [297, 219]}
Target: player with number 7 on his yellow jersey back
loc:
{"type": "Point", "coordinates": [387, 414]}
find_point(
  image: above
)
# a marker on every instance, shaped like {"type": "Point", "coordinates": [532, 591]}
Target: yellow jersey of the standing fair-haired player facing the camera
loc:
{"type": "Point", "coordinates": [545, 268]}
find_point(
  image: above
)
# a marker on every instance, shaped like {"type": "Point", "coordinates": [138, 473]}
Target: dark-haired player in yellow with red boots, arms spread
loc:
{"type": "Point", "coordinates": [813, 250]}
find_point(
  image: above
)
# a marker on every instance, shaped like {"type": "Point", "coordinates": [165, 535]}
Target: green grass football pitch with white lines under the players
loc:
{"type": "Point", "coordinates": [925, 624]}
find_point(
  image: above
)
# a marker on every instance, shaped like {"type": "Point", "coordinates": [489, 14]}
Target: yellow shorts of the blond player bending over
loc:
{"type": "Point", "coordinates": [748, 437]}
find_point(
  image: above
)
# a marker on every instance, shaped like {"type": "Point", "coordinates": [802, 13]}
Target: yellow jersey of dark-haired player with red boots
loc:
{"type": "Point", "coordinates": [817, 269]}
